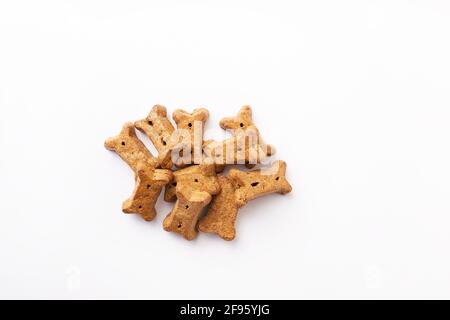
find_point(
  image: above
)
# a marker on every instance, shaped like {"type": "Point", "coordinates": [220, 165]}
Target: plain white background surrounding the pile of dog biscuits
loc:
{"type": "Point", "coordinates": [355, 95]}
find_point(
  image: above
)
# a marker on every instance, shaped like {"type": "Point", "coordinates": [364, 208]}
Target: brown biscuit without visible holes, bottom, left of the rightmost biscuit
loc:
{"type": "Point", "coordinates": [222, 213]}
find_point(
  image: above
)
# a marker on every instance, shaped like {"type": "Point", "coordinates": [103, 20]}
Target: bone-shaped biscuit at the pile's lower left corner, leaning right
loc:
{"type": "Point", "coordinates": [149, 183]}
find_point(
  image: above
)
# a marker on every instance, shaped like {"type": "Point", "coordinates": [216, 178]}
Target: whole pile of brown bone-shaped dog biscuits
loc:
{"type": "Point", "coordinates": [192, 170]}
